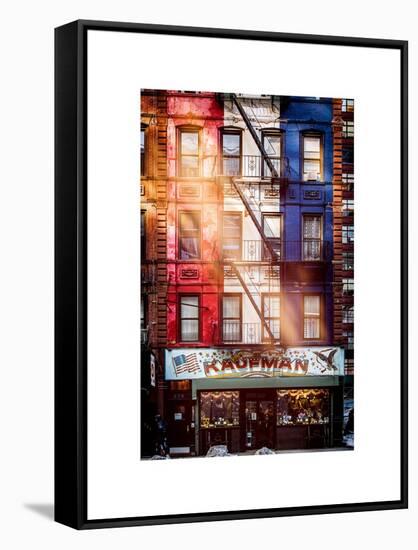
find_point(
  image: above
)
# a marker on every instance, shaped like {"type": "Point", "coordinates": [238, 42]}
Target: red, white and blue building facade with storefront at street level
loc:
{"type": "Point", "coordinates": [241, 291]}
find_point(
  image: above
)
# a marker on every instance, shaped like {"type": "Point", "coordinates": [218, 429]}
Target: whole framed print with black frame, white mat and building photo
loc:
{"type": "Point", "coordinates": [231, 274]}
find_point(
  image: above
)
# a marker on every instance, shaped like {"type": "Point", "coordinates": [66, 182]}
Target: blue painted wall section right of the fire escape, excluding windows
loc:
{"type": "Point", "coordinates": [301, 115]}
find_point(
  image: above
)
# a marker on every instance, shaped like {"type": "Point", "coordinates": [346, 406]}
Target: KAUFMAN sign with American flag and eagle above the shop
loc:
{"type": "Point", "coordinates": [192, 363]}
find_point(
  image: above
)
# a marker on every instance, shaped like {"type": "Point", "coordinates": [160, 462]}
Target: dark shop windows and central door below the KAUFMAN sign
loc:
{"type": "Point", "coordinates": [244, 420]}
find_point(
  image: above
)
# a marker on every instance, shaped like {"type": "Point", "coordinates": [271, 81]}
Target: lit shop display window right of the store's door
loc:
{"type": "Point", "coordinates": [305, 406]}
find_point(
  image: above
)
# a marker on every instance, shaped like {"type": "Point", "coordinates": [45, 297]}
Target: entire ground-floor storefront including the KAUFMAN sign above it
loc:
{"type": "Point", "coordinates": [288, 400]}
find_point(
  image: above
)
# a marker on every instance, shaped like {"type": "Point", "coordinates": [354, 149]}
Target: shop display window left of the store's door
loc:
{"type": "Point", "coordinates": [219, 409]}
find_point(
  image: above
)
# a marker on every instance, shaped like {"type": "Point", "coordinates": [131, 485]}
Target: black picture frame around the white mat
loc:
{"type": "Point", "coordinates": [71, 338]}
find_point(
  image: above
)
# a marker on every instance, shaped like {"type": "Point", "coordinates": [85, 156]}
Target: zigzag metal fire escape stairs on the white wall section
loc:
{"type": "Point", "coordinates": [269, 253]}
